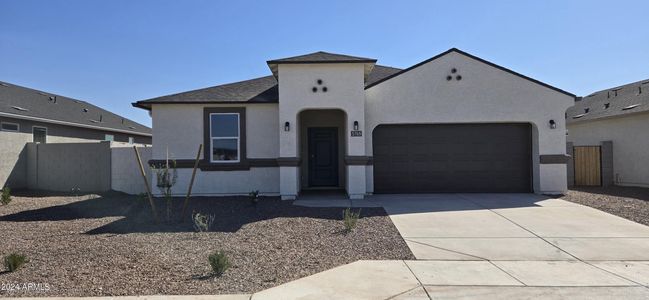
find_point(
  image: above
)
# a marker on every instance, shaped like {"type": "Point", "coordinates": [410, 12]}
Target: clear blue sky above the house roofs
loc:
{"type": "Point", "coordinates": [112, 53]}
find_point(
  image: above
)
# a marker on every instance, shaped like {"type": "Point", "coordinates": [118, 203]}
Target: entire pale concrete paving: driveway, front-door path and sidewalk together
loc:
{"type": "Point", "coordinates": [490, 246]}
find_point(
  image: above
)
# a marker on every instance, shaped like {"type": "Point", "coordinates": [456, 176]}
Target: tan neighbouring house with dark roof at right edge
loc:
{"type": "Point", "coordinates": [615, 122]}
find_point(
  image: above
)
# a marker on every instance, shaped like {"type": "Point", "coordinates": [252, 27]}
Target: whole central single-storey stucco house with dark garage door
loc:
{"type": "Point", "coordinates": [452, 123]}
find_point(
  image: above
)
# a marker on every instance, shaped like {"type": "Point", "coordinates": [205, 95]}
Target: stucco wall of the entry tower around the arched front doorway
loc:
{"type": "Point", "coordinates": [345, 91]}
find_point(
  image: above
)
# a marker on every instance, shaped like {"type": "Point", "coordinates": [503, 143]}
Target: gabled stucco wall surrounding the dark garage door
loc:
{"type": "Point", "coordinates": [485, 94]}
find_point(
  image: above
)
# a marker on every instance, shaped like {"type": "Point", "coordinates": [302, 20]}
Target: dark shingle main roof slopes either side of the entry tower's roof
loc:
{"type": "Point", "coordinates": [258, 90]}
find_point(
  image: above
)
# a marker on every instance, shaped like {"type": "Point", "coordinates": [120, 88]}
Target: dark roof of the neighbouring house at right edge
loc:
{"type": "Point", "coordinates": [622, 100]}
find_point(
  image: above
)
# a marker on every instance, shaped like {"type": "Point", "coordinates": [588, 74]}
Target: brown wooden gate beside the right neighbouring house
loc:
{"type": "Point", "coordinates": [588, 165]}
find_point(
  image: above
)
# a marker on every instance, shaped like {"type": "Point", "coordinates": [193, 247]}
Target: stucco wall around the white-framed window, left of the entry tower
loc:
{"type": "Point", "coordinates": [179, 128]}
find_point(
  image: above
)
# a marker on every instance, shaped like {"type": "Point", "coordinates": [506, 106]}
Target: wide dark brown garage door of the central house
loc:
{"type": "Point", "coordinates": [426, 158]}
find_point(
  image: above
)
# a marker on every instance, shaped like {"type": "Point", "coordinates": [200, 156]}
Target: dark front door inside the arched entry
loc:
{"type": "Point", "coordinates": [323, 157]}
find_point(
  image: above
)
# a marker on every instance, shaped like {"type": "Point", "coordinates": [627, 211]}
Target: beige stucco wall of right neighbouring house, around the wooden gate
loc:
{"type": "Point", "coordinates": [630, 137]}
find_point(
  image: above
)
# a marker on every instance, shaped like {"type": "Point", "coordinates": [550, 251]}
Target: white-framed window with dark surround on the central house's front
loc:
{"type": "Point", "coordinates": [225, 144]}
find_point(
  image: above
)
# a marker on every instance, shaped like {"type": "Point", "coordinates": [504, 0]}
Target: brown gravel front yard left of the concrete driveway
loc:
{"type": "Point", "coordinates": [101, 245]}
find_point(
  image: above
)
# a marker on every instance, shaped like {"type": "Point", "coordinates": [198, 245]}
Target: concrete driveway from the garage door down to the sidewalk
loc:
{"type": "Point", "coordinates": [512, 227]}
